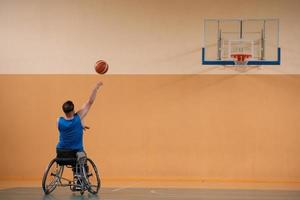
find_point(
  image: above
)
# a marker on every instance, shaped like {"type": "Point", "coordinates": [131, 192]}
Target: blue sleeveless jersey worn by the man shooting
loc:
{"type": "Point", "coordinates": [70, 133]}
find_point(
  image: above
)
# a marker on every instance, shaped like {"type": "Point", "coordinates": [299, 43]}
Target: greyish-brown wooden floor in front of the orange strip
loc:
{"type": "Point", "coordinates": [35, 193]}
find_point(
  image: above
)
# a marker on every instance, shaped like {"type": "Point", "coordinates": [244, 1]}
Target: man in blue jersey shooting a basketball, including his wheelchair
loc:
{"type": "Point", "coordinates": [70, 150]}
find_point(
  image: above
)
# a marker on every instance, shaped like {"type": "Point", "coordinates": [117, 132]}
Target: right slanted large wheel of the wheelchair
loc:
{"type": "Point", "coordinates": [91, 177]}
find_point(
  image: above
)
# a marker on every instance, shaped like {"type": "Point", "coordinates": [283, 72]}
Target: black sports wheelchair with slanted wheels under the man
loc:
{"type": "Point", "coordinates": [85, 173]}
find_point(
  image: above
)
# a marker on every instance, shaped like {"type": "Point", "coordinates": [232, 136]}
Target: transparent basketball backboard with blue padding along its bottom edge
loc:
{"type": "Point", "coordinates": [256, 38]}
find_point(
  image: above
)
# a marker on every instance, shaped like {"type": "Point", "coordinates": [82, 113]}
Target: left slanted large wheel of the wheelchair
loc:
{"type": "Point", "coordinates": [52, 176]}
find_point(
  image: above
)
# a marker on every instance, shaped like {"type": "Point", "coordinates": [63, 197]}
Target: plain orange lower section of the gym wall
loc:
{"type": "Point", "coordinates": [225, 127]}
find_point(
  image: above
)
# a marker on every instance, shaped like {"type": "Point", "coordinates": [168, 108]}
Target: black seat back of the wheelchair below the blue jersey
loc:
{"type": "Point", "coordinates": [66, 157]}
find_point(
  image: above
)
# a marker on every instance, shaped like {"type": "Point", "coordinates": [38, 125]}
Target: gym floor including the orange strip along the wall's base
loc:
{"type": "Point", "coordinates": [31, 190]}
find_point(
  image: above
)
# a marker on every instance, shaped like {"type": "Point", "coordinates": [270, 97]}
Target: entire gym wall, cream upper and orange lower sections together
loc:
{"type": "Point", "coordinates": [160, 115]}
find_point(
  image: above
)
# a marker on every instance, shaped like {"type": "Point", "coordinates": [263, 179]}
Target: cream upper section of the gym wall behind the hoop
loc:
{"type": "Point", "coordinates": [134, 36]}
